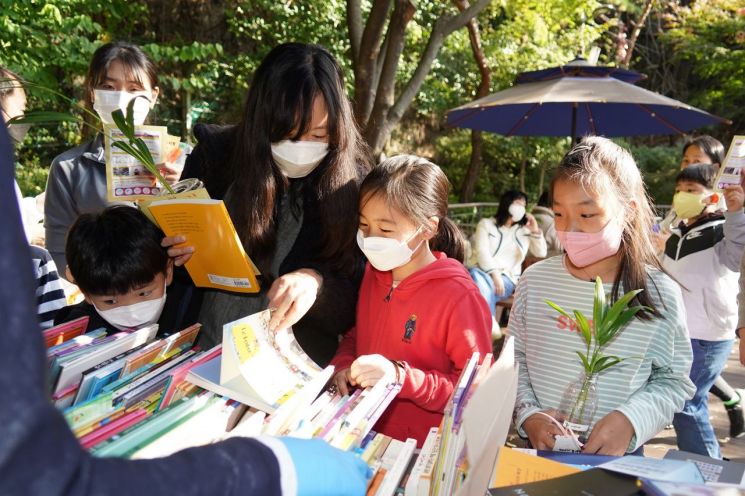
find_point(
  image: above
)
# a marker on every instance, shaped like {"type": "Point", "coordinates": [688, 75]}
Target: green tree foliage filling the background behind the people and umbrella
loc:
{"type": "Point", "coordinates": [207, 52]}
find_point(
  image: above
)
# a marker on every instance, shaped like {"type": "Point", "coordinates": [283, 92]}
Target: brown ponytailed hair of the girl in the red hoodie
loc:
{"type": "Point", "coordinates": [419, 190]}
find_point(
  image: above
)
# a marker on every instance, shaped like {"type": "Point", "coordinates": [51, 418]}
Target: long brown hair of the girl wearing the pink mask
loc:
{"type": "Point", "coordinates": [602, 167]}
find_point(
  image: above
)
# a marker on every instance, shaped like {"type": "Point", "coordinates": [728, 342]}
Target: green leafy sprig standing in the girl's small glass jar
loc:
{"type": "Point", "coordinates": [608, 321]}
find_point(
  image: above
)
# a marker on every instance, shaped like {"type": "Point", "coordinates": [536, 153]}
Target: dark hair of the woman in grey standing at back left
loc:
{"type": "Point", "coordinates": [137, 66]}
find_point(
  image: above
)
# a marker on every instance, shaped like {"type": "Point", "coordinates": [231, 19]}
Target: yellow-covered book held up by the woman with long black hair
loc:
{"type": "Point", "coordinates": [219, 260]}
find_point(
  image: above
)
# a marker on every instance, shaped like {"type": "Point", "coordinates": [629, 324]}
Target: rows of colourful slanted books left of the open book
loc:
{"type": "Point", "coordinates": [126, 385]}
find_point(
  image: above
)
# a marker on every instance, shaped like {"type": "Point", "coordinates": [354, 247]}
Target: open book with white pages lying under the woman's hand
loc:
{"type": "Point", "coordinates": [259, 367]}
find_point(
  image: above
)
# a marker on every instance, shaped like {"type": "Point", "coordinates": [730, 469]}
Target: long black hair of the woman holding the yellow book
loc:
{"type": "Point", "coordinates": [279, 106]}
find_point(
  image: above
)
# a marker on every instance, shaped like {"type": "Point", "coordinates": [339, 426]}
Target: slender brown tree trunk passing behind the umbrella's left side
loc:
{"type": "Point", "coordinates": [477, 140]}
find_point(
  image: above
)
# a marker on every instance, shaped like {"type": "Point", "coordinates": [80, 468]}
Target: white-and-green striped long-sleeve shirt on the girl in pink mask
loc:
{"type": "Point", "coordinates": [648, 388]}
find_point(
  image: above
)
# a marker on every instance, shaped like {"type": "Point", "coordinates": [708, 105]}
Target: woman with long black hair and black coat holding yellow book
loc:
{"type": "Point", "coordinates": [289, 173]}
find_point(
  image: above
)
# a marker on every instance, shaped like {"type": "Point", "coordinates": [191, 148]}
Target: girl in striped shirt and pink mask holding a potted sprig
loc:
{"type": "Point", "coordinates": [604, 222]}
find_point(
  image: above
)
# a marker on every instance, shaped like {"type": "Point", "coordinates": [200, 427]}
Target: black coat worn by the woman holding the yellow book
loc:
{"type": "Point", "coordinates": [333, 313]}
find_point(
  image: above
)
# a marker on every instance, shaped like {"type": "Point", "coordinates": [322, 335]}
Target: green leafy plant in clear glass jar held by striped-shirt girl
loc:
{"type": "Point", "coordinates": [580, 399]}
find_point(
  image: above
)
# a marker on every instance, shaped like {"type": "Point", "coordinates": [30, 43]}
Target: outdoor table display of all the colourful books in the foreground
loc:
{"type": "Point", "coordinates": [131, 395]}
